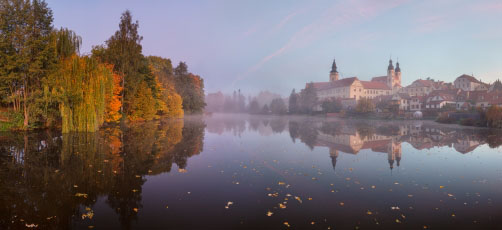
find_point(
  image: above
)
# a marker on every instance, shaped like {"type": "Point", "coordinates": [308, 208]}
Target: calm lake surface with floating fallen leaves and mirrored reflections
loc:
{"type": "Point", "coordinates": [251, 172]}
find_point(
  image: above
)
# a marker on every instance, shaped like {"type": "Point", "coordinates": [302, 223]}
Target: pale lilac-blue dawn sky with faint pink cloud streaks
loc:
{"type": "Point", "coordinates": [281, 45]}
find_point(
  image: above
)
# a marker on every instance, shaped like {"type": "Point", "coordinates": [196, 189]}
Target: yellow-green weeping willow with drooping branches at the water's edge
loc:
{"type": "Point", "coordinates": [81, 86]}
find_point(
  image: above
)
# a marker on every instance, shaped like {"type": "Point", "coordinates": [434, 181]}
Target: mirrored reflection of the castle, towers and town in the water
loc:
{"type": "Point", "coordinates": [352, 136]}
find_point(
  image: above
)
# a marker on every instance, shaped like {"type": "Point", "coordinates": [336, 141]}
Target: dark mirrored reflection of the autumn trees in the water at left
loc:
{"type": "Point", "coordinates": [46, 178]}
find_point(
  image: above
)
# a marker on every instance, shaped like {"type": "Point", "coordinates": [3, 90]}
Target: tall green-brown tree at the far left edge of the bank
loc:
{"type": "Point", "coordinates": [27, 53]}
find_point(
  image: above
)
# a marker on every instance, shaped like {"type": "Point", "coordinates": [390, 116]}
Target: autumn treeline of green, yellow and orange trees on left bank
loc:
{"type": "Point", "coordinates": [45, 82]}
